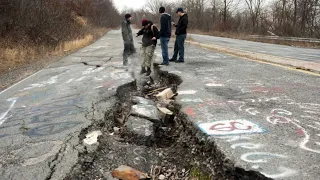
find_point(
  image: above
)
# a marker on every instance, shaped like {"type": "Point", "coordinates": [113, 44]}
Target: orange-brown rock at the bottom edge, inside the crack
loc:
{"type": "Point", "coordinates": [127, 173]}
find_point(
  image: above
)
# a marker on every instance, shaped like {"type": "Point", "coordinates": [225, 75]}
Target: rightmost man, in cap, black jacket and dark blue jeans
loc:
{"type": "Point", "coordinates": [181, 33]}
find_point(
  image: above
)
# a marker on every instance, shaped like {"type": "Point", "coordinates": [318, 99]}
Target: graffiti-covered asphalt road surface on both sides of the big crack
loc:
{"type": "Point", "coordinates": [264, 118]}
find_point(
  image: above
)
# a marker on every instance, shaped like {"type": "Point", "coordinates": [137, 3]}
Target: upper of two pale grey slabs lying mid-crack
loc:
{"type": "Point", "coordinates": [146, 111]}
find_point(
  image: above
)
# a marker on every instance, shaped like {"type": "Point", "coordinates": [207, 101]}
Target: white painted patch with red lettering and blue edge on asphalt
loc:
{"type": "Point", "coordinates": [231, 127]}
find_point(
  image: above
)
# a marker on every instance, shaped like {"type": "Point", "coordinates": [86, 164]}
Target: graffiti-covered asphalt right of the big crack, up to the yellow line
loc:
{"type": "Point", "coordinates": [264, 118]}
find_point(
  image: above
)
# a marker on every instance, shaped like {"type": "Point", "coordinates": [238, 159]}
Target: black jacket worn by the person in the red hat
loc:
{"type": "Point", "coordinates": [148, 34]}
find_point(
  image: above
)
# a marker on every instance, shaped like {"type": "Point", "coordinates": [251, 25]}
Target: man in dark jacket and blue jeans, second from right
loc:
{"type": "Point", "coordinates": [165, 34]}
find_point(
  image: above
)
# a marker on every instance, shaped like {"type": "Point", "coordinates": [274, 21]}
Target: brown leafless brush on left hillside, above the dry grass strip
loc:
{"type": "Point", "coordinates": [49, 22]}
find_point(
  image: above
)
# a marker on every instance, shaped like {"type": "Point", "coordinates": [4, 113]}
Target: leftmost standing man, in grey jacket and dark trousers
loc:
{"type": "Point", "coordinates": [126, 30]}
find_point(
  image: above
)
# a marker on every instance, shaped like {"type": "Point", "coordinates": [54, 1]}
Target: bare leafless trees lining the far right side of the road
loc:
{"type": "Point", "coordinates": [298, 18]}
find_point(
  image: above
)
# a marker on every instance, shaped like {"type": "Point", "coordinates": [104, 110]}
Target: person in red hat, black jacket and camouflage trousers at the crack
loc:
{"type": "Point", "coordinates": [149, 41]}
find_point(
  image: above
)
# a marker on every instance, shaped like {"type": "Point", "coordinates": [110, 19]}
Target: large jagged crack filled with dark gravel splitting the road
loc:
{"type": "Point", "coordinates": [174, 149]}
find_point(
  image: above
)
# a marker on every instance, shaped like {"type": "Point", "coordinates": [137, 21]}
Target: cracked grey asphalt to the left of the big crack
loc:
{"type": "Point", "coordinates": [42, 116]}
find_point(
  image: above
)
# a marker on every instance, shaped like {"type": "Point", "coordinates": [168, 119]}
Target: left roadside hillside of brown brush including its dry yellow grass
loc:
{"type": "Point", "coordinates": [32, 29]}
